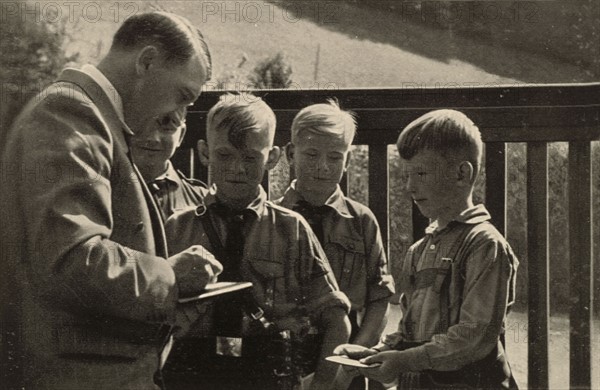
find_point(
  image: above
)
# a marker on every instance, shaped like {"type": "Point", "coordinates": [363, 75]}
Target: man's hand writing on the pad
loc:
{"type": "Point", "coordinates": [194, 268]}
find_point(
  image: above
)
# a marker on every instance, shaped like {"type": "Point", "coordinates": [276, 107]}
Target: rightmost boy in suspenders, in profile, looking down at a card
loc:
{"type": "Point", "coordinates": [458, 281]}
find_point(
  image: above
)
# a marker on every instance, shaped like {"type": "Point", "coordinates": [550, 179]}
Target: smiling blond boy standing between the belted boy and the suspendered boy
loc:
{"type": "Point", "coordinates": [348, 231]}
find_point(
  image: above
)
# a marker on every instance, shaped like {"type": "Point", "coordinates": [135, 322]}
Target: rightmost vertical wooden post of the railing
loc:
{"type": "Point", "coordinates": [580, 257]}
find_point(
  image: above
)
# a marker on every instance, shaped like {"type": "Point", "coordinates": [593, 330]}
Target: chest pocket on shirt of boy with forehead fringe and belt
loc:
{"type": "Point", "coordinates": [269, 282]}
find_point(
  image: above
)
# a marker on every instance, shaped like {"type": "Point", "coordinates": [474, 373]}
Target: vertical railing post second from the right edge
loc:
{"type": "Point", "coordinates": [538, 263]}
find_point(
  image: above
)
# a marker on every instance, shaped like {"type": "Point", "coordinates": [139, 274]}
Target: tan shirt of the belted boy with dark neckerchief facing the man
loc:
{"type": "Point", "coordinates": [282, 257]}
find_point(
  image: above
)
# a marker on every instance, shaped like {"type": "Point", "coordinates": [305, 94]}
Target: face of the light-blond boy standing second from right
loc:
{"type": "Point", "coordinates": [319, 161]}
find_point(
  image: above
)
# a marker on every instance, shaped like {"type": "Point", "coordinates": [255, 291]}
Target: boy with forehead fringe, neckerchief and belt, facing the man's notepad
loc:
{"type": "Point", "coordinates": [270, 246]}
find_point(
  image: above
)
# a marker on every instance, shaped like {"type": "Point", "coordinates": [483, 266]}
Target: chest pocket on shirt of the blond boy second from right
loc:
{"type": "Point", "coordinates": [347, 258]}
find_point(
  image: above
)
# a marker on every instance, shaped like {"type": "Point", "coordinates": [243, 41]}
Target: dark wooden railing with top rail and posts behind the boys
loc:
{"type": "Point", "coordinates": [535, 115]}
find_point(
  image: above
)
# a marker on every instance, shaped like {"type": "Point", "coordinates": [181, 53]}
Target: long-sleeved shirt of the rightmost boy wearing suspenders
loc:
{"type": "Point", "coordinates": [479, 309]}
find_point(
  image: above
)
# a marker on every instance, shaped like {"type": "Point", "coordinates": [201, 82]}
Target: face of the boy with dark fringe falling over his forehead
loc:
{"type": "Point", "coordinates": [238, 173]}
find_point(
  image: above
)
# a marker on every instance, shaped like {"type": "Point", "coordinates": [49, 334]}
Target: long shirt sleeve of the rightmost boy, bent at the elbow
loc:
{"type": "Point", "coordinates": [490, 272]}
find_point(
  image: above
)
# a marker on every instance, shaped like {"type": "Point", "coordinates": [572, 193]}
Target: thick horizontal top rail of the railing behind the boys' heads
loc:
{"type": "Point", "coordinates": [504, 114]}
